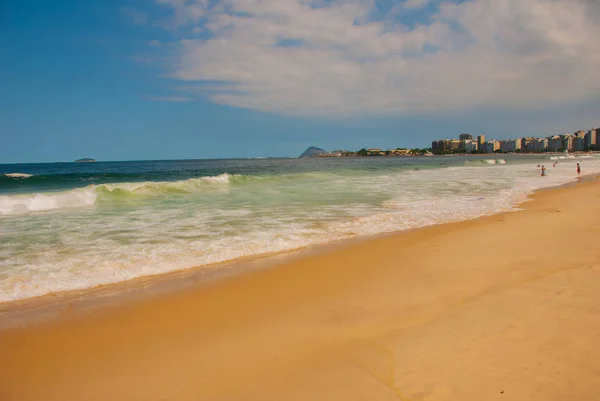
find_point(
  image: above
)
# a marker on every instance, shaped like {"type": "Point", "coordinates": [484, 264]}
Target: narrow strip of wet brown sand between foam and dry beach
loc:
{"type": "Point", "coordinates": [47, 306]}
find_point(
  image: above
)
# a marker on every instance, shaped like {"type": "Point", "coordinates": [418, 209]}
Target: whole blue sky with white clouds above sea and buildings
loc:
{"type": "Point", "coordinates": [191, 79]}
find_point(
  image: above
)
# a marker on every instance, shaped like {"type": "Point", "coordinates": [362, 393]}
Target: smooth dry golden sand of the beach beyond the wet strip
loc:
{"type": "Point", "coordinates": [500, 308]}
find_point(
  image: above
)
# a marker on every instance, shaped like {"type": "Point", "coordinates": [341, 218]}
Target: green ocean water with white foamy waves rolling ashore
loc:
{"type": "Point", "coordinates": [68, 226]}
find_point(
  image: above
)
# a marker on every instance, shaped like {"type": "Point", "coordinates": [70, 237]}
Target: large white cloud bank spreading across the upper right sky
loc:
{"type": "Point", "coordinates": [342, 57]}
